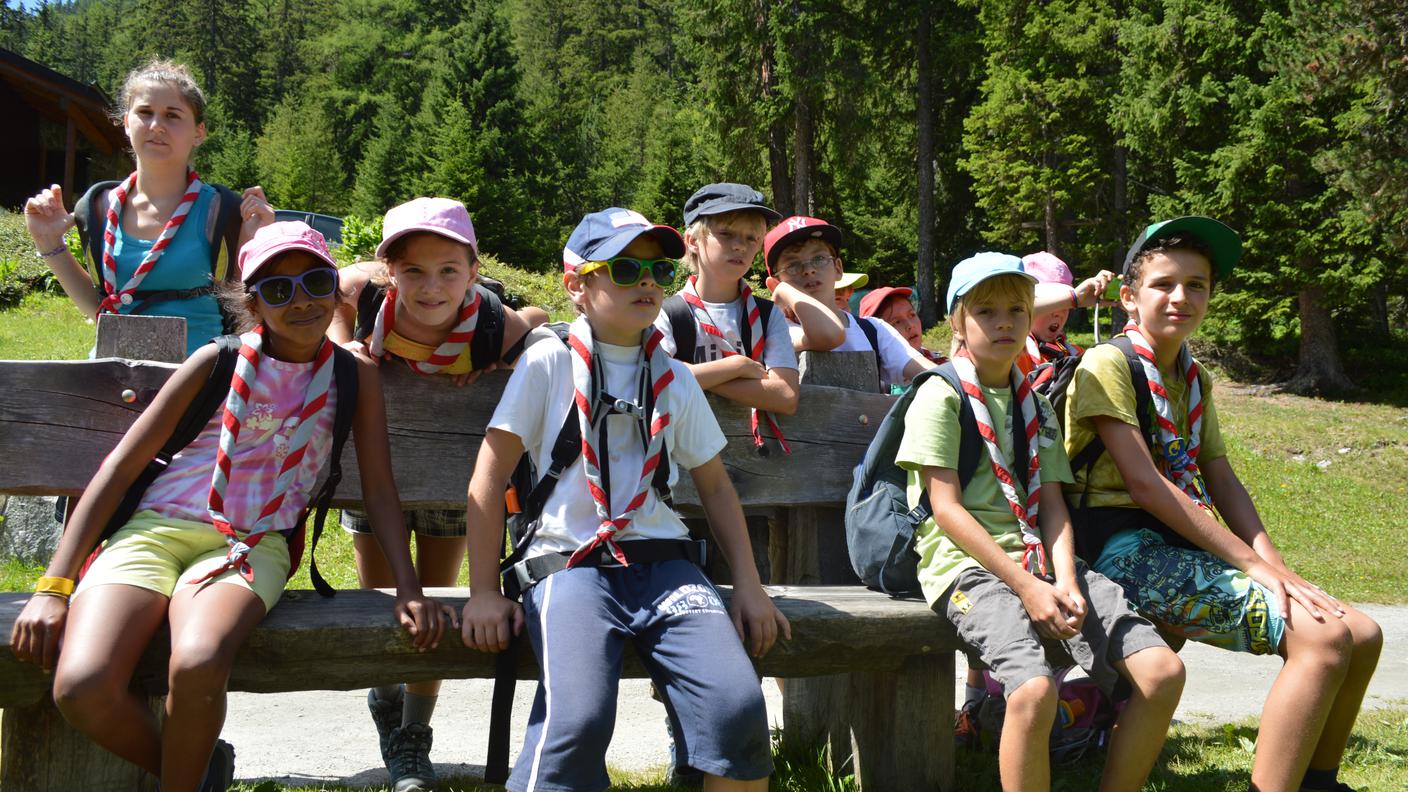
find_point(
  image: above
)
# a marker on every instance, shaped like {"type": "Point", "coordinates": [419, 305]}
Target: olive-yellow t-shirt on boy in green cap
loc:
{"type": "Point", "coordinates": [1102, 387]}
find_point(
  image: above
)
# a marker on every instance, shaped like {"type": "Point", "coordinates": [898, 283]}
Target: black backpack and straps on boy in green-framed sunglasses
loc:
{"type": "Point", "coordinates": [526, 498]}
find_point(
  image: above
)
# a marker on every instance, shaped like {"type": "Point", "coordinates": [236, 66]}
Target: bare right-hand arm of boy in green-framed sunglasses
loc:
{"type": "Point", "coordinates": [755, 617]}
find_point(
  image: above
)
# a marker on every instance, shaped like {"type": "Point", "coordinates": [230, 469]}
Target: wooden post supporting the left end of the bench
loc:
{"type": "Point", "coordinates": [39, 750]}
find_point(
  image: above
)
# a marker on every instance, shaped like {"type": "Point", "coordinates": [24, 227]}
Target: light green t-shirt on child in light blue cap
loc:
{"type": "Point", "coordinates": [931, 439]}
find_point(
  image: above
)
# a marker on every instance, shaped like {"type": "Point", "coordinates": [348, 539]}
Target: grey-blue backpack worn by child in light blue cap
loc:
{"type": "Point", "coordinates": [881, 526]}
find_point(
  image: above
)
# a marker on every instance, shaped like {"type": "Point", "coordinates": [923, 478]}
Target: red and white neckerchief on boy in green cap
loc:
{"type": "Point", "coordinates": [1179, 457]}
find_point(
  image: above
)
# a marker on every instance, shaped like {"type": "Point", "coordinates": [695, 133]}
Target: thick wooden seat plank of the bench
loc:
{"type": "Point", "coordinates": [351, 642]}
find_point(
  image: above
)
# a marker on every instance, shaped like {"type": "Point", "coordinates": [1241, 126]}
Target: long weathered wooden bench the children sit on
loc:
{"type": "Point", "coordinates": [871, 676]}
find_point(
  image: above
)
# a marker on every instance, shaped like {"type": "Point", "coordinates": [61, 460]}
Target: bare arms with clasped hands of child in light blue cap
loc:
{"type": "Point", "coordinates": [1054, 611]}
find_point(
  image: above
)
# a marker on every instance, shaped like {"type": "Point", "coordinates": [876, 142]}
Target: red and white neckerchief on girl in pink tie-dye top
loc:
{"type": "Point", "coordinates": [316, 398]}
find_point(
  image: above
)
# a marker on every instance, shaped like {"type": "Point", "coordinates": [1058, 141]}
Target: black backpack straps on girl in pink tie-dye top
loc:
{"type": "Point", "coordinates": [203, 408]}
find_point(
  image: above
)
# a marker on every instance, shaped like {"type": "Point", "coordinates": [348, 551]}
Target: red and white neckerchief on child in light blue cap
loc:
{"type": "Point", "coordinates": [1034, 556]}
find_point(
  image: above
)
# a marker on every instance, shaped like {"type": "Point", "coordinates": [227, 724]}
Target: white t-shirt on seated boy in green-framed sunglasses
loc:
{"type": "Point", "coordinates": [534, 407]}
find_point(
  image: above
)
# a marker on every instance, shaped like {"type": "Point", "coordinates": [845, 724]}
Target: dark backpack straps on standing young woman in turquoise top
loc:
{"type": "Point", "coordinates": [91, 218]}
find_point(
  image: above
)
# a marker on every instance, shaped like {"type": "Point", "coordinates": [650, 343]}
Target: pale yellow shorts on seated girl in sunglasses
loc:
{"type": "Point", "coordinates": [160, 555]}
